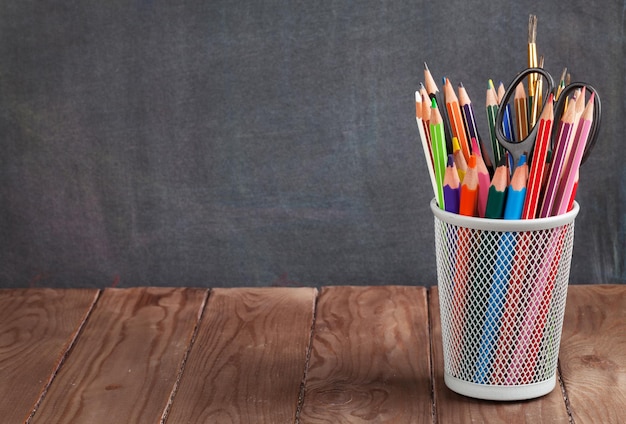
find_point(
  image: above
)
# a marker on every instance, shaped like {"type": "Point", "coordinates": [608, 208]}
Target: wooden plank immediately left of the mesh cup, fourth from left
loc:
{"type": "Point", "coordinates": [370, 359]}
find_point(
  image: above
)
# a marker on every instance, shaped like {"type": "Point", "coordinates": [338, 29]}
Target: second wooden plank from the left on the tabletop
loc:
{"type": "Point", "coordinates": [126, 361]}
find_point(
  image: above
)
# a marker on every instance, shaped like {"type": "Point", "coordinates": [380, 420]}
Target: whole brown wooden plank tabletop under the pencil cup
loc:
{"type": "Point", "coordinates": [278, 355]}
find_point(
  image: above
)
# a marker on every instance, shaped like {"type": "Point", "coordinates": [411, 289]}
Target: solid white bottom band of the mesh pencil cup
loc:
{"type": "Point", "coordinates": [500, 393]}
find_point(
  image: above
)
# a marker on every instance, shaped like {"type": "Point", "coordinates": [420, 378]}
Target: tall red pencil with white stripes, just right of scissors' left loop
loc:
{"type": "Point", "coordinates": [538, 160]}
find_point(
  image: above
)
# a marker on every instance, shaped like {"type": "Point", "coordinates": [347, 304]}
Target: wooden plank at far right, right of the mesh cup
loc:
{"type": "Point", "coordinates": [593, 353]}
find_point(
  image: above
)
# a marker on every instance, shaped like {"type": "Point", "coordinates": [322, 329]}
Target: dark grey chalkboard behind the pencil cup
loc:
{"type": "Point", "coordinates": [221, 143]}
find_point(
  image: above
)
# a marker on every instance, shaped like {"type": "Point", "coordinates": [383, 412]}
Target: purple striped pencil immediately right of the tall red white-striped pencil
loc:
{"type": "Point", "coordinates": [558, 160]}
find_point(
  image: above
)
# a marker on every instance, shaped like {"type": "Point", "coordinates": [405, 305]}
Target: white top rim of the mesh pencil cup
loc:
{"type": "Point", "coordinates": [504, 224]}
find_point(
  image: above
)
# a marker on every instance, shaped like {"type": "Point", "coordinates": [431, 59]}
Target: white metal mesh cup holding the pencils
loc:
{"type": "Point", "coordinates": [502, 289]}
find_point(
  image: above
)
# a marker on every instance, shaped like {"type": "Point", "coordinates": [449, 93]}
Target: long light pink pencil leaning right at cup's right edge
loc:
{"type": "Point", "coordinates": [569, 181]}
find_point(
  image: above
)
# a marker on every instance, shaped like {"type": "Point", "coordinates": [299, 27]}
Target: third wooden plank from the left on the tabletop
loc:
{"type": "Point", "coordinates": [248, 360]}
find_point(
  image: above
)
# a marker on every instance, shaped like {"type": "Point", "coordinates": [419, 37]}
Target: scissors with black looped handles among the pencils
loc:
{"type": "Point", "coordinates": [517, 148]}
